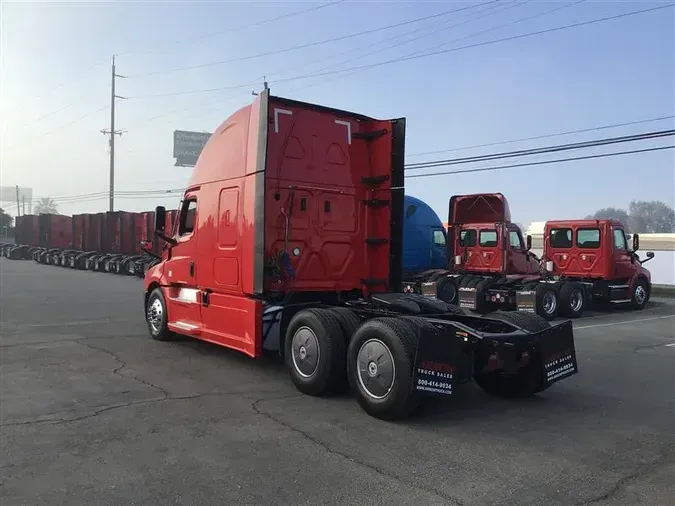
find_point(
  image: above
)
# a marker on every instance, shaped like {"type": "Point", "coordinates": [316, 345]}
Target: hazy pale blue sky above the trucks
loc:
{"type": "Point", "coordinates": [55, 72]}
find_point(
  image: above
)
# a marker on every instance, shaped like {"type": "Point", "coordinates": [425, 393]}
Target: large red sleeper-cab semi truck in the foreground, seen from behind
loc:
{"type": "Point", "coordinates": [289, 239]}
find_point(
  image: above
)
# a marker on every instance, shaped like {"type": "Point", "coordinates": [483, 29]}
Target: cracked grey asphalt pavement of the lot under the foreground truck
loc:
{"type": "Point", "coordinates": [94, 412]}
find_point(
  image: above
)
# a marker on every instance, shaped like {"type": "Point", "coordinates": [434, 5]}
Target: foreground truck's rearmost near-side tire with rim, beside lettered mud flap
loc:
{"type": "Point", "coordinates": [380, 361]}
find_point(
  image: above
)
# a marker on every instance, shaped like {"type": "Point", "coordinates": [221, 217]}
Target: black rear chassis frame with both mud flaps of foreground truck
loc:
{"type": "Point", "coordinates": [457, 345]}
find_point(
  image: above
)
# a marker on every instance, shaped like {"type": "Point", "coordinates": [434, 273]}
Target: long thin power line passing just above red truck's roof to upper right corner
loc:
{"type": "Point", "coordinates": [425, 55]}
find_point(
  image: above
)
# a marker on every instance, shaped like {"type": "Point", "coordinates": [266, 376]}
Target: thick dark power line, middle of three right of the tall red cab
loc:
{"type": "Point", "coordinates": [541, 151]}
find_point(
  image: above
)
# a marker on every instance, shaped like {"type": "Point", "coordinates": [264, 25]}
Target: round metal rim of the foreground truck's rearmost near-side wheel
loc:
{"type": "Point", "coordinates": [375, 369]}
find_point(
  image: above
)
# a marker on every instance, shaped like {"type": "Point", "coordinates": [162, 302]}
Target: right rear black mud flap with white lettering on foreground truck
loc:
{"type": "Point", "coordinates": [558, 356]}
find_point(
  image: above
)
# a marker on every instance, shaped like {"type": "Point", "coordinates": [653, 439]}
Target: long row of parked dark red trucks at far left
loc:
{"type": "Point", "coordinates": [117, 242]}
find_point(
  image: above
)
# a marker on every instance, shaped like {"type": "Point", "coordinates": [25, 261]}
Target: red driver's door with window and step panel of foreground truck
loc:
{"type": "Point", "coordinates": [182, 295]}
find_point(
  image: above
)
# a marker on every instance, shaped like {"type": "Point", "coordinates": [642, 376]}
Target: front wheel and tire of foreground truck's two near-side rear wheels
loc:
{"type": "Point", "coordinates": [315, 352]}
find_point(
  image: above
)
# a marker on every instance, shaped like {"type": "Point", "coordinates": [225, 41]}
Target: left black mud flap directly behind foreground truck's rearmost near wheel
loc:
{"type": "Point", "coordinates": [441, 362]}
